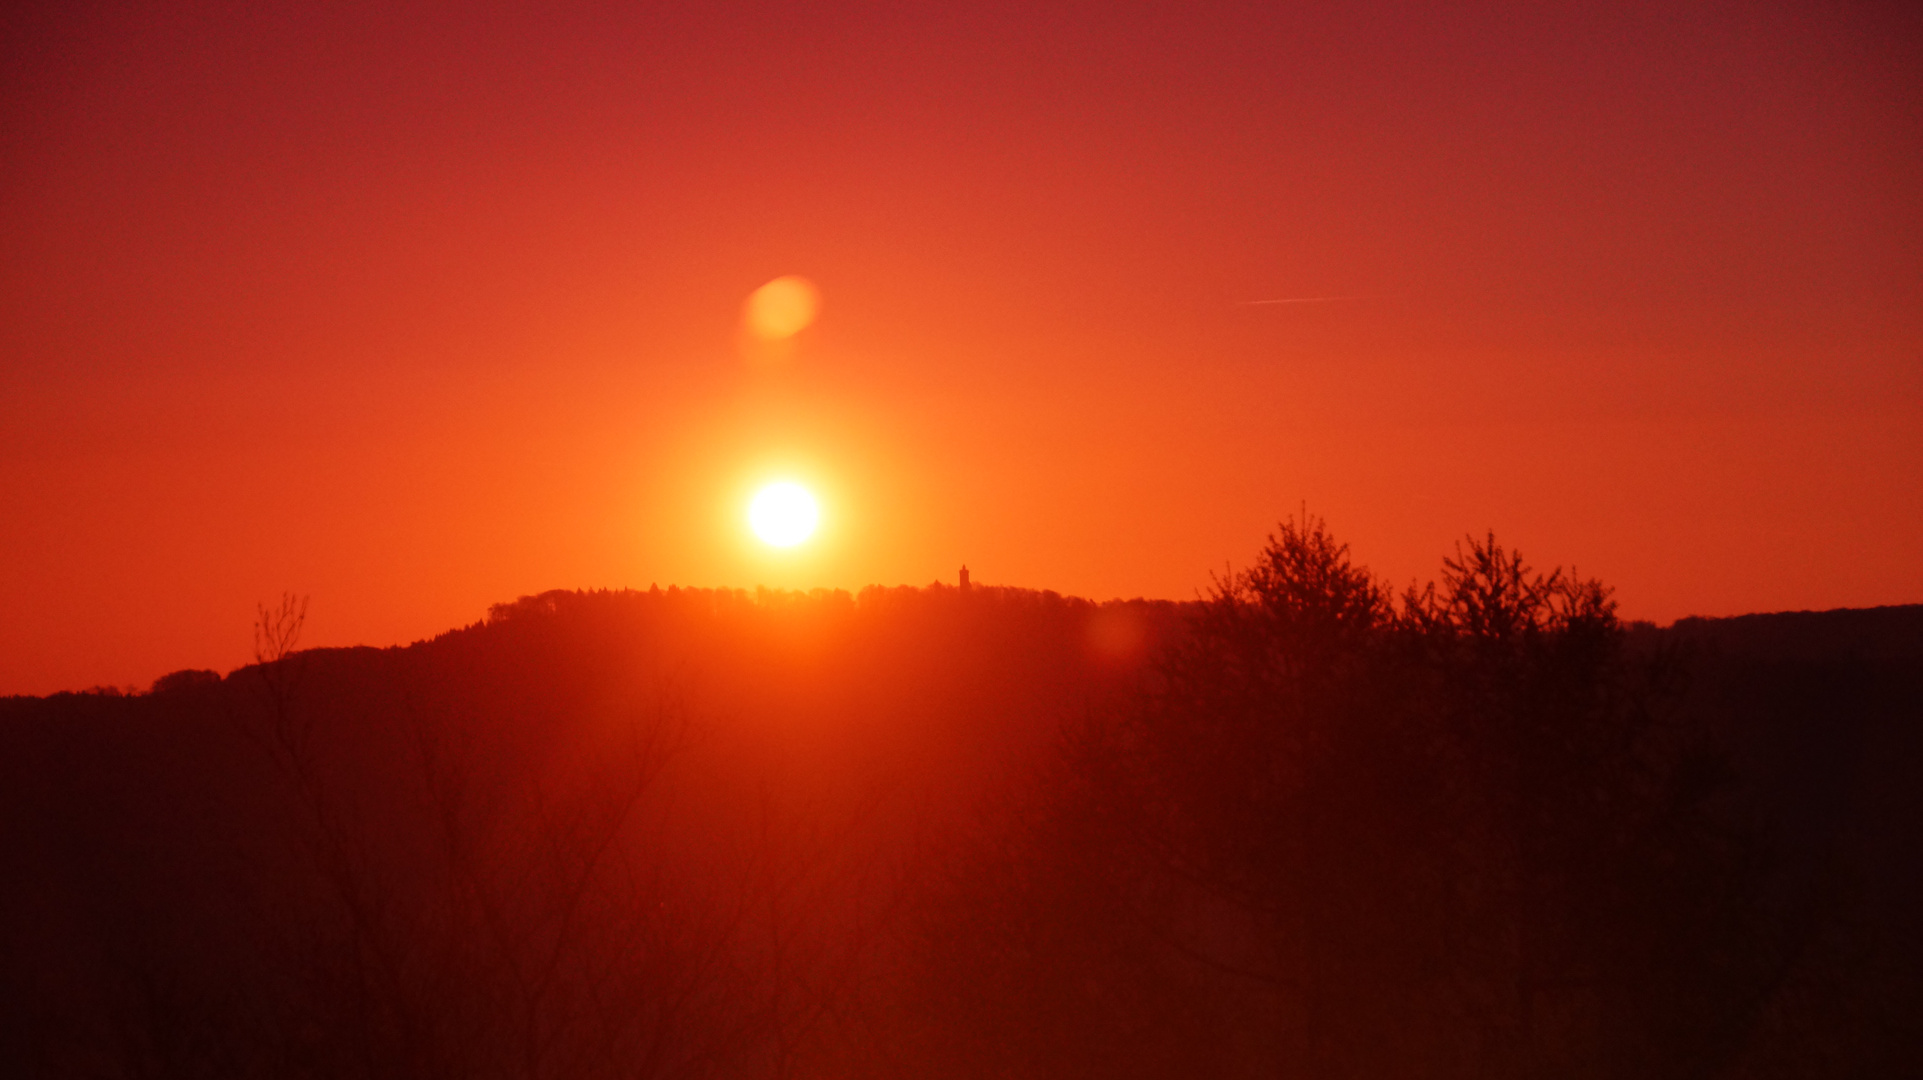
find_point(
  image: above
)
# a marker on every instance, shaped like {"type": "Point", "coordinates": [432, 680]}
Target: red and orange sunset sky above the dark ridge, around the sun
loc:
{"type": "Point", "coordinates": [418, 312]}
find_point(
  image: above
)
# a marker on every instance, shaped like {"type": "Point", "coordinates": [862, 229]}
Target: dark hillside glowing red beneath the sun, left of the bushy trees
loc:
{"type": "Point", "coordinates": [305, 860]}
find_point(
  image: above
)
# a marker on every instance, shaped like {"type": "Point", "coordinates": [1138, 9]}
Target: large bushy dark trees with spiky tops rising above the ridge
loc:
{"type": "Point", "coordinates": [1430, 835]}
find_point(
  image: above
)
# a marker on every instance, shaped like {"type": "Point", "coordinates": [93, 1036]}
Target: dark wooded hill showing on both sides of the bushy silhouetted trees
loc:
{"type": "Point", "coordinates": [687, 833]}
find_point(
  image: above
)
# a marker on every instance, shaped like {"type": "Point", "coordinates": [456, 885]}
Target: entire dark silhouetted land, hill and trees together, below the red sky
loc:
{"type": "Point", "coordinates": [1307, 825]}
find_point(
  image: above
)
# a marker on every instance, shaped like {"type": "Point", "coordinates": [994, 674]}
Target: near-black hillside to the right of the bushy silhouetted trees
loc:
{"type": "Point", "coordinates": [1824, 712]}
